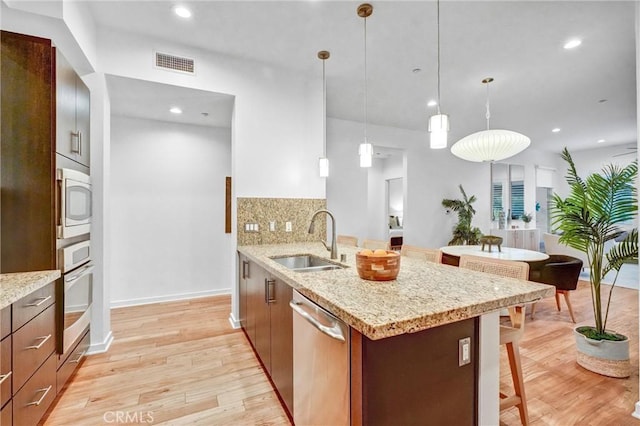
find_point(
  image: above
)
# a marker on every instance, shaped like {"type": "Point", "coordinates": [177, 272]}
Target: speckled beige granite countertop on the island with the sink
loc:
{"type": "Point", "coordinates": [424, 295]}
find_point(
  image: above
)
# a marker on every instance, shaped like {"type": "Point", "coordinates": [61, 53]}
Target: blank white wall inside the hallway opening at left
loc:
{"type": "Point", "coordinates": [168, 203]}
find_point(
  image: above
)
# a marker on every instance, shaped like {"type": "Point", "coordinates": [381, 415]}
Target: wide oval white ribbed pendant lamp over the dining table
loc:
{"type": "Point", "coordinates": [490, 144]}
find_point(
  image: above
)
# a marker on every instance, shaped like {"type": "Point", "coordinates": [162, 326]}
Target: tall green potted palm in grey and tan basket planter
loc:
{"type": "Point", "coordinates": [589, 217]}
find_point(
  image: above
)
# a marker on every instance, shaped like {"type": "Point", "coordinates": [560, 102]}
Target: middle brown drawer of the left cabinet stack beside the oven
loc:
{"type": "Point", "coordinates": [32, 345]}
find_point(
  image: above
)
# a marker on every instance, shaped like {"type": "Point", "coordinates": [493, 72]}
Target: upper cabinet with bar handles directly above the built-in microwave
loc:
{"type": "Point", "coordinates": [72, 115]}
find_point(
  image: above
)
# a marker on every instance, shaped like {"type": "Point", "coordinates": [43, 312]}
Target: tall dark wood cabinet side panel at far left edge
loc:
{"type": "Point", "coordinates": [27, 156]}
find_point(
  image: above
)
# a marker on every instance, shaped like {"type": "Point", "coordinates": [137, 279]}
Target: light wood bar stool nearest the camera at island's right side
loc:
{"type": "Point", "coordinates": [509, 335]}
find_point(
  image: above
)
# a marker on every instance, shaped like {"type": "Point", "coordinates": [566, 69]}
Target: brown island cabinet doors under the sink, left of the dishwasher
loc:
{"type": "Point", "coordinates": [267, 320]}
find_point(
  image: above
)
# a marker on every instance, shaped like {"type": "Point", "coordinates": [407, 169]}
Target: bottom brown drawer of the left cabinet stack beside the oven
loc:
{"type": "Point", "coordinates": [35, 397]}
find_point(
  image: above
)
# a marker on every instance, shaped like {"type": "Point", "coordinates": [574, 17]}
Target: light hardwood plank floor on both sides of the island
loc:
{"type": "Point", "coordinates": [183, 364]}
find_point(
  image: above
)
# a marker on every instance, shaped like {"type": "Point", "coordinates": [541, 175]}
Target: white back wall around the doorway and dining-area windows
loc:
{"type": "Point", "coordinates": [431, 175]}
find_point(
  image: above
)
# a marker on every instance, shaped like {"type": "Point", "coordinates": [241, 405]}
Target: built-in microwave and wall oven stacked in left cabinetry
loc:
{"type": "Point", "coordinates": [74, 291]}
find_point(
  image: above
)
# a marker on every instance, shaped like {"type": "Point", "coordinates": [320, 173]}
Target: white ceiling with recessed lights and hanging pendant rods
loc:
{"type": "Point", "coordinates": [538, 84]}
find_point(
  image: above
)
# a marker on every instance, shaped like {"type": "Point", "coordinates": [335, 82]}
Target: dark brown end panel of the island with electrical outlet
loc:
{"type": "Point", "coordinates": [415, 377]}
